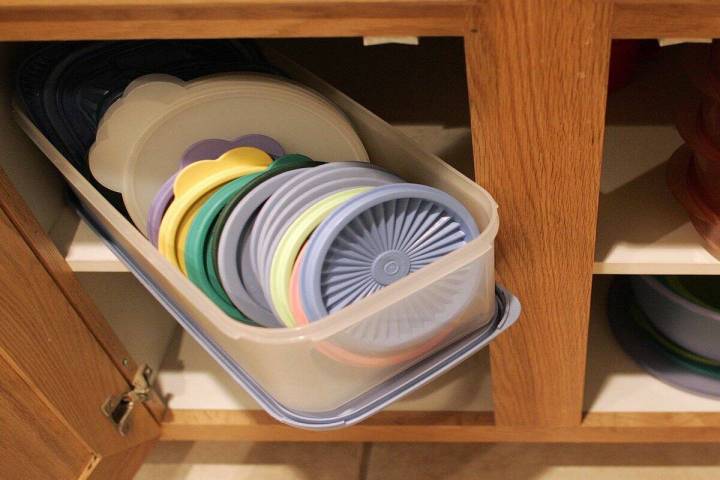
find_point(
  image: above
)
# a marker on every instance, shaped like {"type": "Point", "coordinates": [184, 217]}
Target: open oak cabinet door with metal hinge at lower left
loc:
{"type": "Point", "coordinates": [59, 362]}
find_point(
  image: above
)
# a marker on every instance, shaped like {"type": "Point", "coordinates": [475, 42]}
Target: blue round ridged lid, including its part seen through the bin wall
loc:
{"type": "Point", "coordinates": [376, 239]}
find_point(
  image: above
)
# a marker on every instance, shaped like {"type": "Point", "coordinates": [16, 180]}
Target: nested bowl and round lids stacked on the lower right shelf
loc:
{"type": "Point", "coordinates": [671, 326]}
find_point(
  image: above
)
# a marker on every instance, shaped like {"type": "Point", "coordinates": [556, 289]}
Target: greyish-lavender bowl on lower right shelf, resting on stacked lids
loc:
{"type": "Point", "coordinates": [694, 327]}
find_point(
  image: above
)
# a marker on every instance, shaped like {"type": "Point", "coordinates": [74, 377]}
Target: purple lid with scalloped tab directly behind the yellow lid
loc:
{"type": "Point", "coordinates": [203, 150]}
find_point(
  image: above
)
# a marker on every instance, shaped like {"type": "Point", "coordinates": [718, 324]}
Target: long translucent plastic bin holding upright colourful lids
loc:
{"type": "Point", "coordinates": [342, 368]}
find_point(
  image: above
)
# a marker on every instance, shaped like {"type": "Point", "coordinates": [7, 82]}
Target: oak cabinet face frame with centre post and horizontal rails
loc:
{"type": "Point", "coordinates": [537, 76]}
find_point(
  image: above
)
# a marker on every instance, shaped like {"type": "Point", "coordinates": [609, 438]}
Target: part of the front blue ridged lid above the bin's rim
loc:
{"type": "Point", "coordinates": [378, 238]}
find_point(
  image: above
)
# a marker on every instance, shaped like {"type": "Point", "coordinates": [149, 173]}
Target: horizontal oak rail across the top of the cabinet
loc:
{"type": "Point", "coordinates": [114, 19]}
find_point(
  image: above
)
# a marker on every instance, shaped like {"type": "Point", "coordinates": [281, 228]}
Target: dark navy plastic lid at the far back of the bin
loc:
{"type": "Point", "coordinates": [66, 87]}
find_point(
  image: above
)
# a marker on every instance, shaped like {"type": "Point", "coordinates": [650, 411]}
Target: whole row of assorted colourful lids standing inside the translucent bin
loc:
{"type": "Point", "coordinates": [261, 192]}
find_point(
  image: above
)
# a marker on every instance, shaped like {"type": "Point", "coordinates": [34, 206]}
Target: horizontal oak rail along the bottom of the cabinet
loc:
{"type": "Point", "coordinates": [229, 425]}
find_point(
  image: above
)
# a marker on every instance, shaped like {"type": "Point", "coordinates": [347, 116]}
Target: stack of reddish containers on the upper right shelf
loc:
{"type": "Point", "coordinates": [694, 169]}
